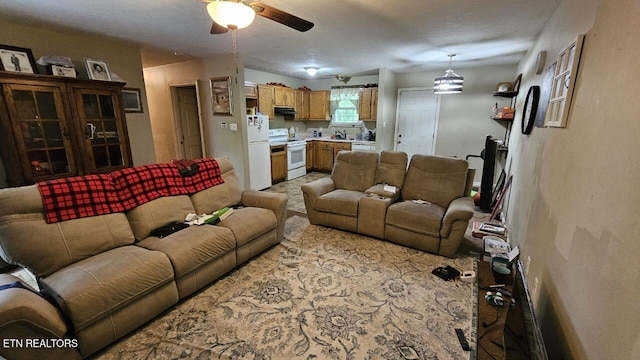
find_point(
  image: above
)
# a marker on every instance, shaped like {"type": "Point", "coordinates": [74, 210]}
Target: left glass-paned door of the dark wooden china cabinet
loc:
{"type": "Point", "coordinates": [41, 131]}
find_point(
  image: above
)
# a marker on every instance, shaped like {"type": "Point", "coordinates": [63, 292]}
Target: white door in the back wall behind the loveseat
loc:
{"type": "Point", "coordinates": [417, 121]}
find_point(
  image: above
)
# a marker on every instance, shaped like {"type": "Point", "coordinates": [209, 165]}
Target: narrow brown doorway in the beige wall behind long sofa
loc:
{"type": "Point", "coordinates": [187, 121]}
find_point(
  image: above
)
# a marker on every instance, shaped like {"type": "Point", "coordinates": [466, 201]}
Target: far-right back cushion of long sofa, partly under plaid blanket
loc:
{"type": "Point", "coordinates": [219, 196]}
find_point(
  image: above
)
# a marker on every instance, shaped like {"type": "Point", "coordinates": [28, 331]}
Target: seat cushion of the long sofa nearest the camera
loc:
{"type": "Point", "coordinates": [96, 287]}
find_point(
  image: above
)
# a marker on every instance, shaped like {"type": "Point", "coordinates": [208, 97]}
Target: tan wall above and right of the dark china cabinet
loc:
{"type": "Point", "coordinates": [123, 60]}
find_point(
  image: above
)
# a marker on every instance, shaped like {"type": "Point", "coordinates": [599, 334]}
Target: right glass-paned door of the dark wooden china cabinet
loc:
{"type": "Point", "coordinates": [103, 129]}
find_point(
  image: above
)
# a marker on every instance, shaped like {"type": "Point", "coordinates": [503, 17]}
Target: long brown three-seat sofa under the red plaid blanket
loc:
{"type": "Point", "coordinates": [106, 275]}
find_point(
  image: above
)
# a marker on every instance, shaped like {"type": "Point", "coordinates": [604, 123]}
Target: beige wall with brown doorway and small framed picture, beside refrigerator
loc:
{"type": "Point", "coordinates": [218, 142]}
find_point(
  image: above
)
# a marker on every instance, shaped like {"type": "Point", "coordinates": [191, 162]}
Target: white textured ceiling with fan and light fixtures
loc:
{"type": "Point", "coordinates": [351, 37]}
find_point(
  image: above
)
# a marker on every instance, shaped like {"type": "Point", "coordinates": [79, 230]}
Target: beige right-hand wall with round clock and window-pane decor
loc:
{"type": "Point", "coordinates": [573, 204]}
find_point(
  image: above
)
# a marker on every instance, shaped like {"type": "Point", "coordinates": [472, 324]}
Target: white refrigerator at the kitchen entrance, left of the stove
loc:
{"type": "Point", "coordinates": [259, 152]}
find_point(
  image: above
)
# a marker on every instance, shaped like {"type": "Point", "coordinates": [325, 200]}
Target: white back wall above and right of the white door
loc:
{"type": "Point", "coordinates": [462, 129]}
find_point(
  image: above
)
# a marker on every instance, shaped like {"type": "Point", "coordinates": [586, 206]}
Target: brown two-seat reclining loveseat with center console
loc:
{"type": "Point", "coordinates": [430, 211]}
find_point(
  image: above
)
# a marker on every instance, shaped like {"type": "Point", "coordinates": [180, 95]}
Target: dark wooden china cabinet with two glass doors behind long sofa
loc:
{"type": "Point", "coordinates": [54, 127]}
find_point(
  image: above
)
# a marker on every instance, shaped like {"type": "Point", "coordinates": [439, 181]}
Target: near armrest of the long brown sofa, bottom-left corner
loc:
{"type": "Point", "coordinates": [24, 316]}
